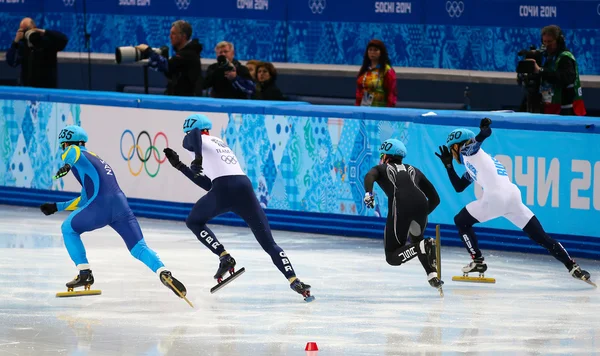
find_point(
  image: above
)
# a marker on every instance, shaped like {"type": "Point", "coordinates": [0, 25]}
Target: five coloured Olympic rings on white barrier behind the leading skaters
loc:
{"type": "Point", "coordinates": [135, 149]}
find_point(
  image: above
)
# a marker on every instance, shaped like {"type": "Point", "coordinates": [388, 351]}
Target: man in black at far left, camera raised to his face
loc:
{"type": "Point", "coordinates": [35, 50]}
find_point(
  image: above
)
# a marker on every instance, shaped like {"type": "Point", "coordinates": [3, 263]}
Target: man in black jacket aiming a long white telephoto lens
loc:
{"type": "Point", "coordinates": [183, 70]}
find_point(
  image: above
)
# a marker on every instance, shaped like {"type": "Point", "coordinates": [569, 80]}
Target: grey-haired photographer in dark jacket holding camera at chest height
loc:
{"type": "Point", "coordinates": [228, 78]}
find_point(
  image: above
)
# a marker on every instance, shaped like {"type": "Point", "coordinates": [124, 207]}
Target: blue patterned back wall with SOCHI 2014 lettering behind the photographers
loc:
{"type": "Point", "coordinates": [466, 34]}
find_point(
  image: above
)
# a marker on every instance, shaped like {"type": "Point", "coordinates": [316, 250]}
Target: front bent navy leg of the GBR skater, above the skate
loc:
{"type": "Point", "coordinates": [205, 209]}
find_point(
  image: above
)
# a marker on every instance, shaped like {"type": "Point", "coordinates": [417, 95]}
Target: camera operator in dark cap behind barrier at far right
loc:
{"type": "Point", "coordinates": [560, 87]}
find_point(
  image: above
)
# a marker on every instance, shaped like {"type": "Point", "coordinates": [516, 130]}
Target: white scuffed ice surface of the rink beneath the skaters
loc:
{"type": "Point", "coordinates": [363, 306]}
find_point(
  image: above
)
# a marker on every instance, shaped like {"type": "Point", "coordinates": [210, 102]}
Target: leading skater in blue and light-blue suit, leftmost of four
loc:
{"type": "Point", "coordinates": [101, 203]}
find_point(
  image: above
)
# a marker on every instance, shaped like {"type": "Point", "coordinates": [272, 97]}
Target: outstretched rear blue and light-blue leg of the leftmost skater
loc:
{"type": "Point", "coordinates": [131, 233]}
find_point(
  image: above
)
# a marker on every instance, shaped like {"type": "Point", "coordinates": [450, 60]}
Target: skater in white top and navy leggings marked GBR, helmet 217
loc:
{"type": "Point", "coordinates": [216, 169]}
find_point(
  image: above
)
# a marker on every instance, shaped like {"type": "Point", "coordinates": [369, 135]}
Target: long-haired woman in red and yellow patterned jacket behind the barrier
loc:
{"type": "Point", "coordinates": [376, 81]}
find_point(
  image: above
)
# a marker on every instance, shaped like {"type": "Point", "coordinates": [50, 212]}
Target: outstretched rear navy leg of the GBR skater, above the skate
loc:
{"type": "Point", "coordinates": [253, 214]}
